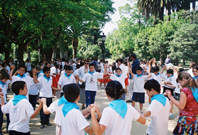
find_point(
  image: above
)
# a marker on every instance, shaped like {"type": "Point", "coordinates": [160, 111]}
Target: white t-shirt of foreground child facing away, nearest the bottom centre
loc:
{"type": "Point", "coordinates": [115, 124]}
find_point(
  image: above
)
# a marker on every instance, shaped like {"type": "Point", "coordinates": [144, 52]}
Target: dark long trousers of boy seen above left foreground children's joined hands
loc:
{"type": "Point", "coordinates": [45, 117]}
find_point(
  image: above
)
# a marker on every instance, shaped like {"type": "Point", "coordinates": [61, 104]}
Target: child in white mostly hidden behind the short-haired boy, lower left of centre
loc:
{"type": "Point", "coordinates": [57, 106]}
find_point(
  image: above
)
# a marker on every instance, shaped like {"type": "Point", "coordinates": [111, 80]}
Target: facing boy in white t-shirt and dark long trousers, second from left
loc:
{"type": "Point", "coordinates": [45, 92]}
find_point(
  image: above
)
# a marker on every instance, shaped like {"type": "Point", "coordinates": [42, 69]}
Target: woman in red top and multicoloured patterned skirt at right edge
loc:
{"type": "Point", "coordinates": [188, 103]}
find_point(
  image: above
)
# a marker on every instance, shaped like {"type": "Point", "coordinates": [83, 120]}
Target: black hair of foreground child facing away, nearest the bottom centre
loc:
{"type": "Point", "coordinates": [114, 89]}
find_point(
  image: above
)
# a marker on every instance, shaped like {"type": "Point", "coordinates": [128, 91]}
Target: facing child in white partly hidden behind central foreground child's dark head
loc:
{"type": "Point", "coordinates": [120, 78]}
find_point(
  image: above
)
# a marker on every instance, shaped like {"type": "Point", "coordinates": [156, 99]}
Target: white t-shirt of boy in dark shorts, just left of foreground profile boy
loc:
{"type": "Point", "coordinates": [139, 83]}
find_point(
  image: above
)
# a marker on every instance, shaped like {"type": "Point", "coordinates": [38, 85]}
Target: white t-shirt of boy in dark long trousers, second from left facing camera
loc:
{"type": "Point", "coordinates": [46, 90]}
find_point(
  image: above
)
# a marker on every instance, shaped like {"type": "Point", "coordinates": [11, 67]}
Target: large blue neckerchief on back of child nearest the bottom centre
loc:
{"type": "Point", "coordinates": [119, 106]}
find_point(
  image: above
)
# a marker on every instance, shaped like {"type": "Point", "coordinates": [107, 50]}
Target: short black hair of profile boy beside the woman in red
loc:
{"type": "Point", "coordinates": [152, 84]}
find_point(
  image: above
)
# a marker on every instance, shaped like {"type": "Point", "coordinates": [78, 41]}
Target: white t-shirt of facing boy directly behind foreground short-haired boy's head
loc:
{"type": "Point", "coordinates": [63, 80]}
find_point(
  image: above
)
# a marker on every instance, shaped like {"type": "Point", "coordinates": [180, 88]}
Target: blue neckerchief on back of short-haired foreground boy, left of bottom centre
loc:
{"type": "Point", "coordinates": [68, 106]}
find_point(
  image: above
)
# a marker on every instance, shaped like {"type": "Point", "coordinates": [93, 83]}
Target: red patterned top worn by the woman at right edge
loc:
{"type": "Point", "coordinates": [191, 108]}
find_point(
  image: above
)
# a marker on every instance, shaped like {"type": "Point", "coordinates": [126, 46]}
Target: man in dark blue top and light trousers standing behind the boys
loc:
{"type": "Point", "coordinates": [135, 64]}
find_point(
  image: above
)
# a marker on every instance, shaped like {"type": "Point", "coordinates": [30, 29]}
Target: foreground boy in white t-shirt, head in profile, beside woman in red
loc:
{"type": "Point", "coordinates": [158, 109]}
